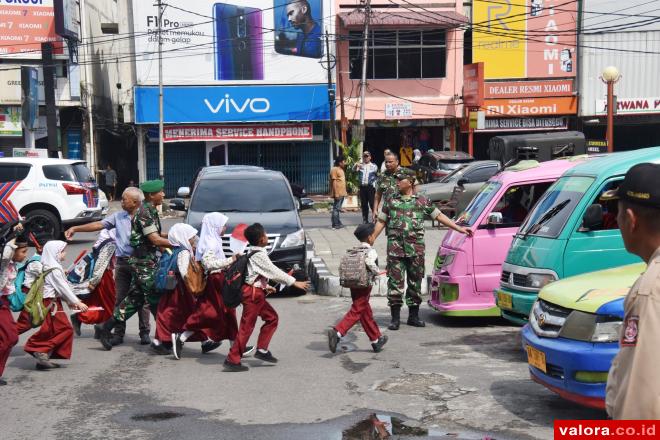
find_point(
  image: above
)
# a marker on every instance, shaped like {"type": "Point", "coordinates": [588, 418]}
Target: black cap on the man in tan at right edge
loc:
{"type": "Point", "coordinates": [641, 186]}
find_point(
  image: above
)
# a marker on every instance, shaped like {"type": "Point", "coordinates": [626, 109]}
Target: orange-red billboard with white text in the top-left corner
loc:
{"type": "Point", "coordinates": [24, 26]}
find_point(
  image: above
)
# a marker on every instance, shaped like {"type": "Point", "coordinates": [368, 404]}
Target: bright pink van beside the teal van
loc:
{"type": "Point", "coordinates": [466, 271]}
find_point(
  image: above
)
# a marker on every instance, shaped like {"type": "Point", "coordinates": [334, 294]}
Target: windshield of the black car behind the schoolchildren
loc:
{"type": "Point", "coordinates": [241, 195]}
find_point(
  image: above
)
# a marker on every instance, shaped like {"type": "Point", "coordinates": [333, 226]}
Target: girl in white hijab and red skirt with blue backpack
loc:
{"type": "Point", "coordinates": [175, 307]}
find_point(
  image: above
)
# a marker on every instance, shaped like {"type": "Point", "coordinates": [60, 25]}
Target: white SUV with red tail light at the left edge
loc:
{"type": "Point", "coordinates": [52, 194]}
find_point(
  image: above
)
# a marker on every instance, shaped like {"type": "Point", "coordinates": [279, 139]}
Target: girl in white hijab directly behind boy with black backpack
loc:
{"type": "Point", "coordinates": [211, 318]}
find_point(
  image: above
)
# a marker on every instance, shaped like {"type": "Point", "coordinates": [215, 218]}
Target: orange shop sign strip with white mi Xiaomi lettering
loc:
{"type": "Point", "coordinates": [531, 106]}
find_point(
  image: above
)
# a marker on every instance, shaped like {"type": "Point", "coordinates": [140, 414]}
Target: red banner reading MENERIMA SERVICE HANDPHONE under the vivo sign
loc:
{"type": "Point", "coordinates": [237, 133]}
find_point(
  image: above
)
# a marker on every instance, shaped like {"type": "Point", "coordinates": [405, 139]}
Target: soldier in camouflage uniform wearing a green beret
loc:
{"type": "Point", "coordinates": [146, 238]}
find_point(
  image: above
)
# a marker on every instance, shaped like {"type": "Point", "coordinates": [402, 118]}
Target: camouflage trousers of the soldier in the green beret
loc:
{"type": "Point", "coordinates": [142, 289]}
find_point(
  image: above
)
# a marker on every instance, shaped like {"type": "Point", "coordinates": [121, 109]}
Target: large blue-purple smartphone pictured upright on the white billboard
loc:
{"type": "Point", "coordinates": [239, 49]}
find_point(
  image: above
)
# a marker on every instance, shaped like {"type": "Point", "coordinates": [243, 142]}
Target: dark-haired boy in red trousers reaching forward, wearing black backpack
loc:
{"type": "Point", "coordinates": [255, 288]}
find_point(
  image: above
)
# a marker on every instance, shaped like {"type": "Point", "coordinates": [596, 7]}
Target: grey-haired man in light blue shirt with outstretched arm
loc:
{"type": "Point", "coordinates": [131, 200]}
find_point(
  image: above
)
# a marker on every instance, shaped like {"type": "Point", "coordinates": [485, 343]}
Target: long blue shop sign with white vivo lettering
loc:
{"type": "Point", "coordinates": [207, 104]}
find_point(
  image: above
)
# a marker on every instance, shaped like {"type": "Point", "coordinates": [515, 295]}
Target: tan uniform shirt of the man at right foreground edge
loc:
{"type": "Point", "coordinates": [633, 385]}
